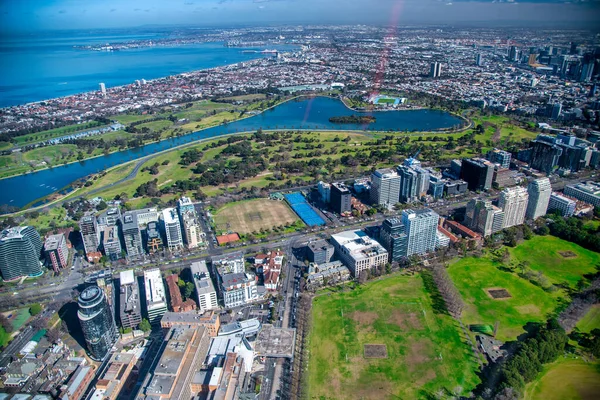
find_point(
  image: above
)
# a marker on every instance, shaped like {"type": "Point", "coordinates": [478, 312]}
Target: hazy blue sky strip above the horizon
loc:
{"type": "Point", "coordinates": [22, 16]}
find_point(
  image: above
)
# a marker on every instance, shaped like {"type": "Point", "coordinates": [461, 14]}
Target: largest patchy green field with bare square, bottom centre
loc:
{"type": "Point", "coordinates": [425, 353]}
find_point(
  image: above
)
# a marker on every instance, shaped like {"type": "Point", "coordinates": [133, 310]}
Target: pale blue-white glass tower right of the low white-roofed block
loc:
{"type": "Point", "coordinates": [421, 230]}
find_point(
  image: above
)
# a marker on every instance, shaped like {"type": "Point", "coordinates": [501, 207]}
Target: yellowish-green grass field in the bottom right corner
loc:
{"type": "Point", "coordinates": [566, 379]}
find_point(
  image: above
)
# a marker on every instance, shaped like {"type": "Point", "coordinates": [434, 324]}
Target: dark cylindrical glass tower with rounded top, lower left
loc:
{"type": "Point", "coordinates": [97, 322]}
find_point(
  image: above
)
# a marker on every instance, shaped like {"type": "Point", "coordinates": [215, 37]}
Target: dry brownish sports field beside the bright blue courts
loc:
{"type": "Point", "coordinates": [253, 215]}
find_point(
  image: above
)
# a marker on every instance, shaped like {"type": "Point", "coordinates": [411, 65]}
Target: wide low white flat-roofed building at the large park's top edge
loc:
{"type": "Point", "coordinates": [358, 251]}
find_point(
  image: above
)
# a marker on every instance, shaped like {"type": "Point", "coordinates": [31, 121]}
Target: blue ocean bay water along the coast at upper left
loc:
{"type": "Point", "coordinates": [35, 68]}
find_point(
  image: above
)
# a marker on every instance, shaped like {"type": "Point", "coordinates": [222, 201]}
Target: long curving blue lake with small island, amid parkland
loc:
{"type": "Point", "coordinates": [304, 113]}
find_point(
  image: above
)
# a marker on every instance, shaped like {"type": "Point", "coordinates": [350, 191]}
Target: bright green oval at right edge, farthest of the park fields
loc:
{"type": "Point", "coordinates": [543, 253]}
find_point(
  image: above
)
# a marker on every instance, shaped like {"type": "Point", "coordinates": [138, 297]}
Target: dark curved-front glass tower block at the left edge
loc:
{"type": "Point", "coordinates": [20, 251]}
